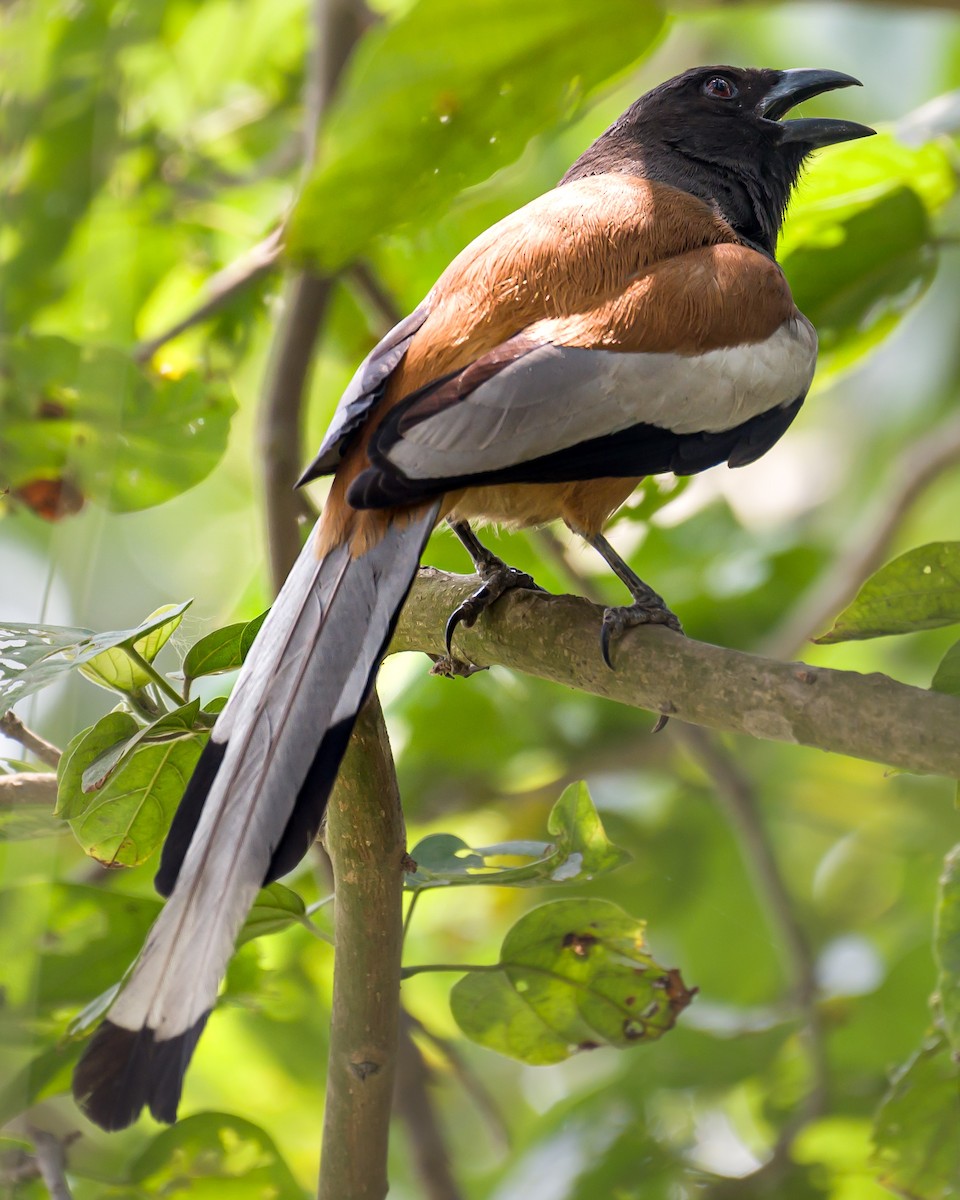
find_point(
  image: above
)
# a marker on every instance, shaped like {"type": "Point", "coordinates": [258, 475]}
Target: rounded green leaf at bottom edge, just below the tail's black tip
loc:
{"type": "Point", "coordinates": [215, 1155]}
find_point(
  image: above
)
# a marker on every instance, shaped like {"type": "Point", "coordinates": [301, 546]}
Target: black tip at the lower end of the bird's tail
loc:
{"type": "Point", "coordinates": [124, 1071]}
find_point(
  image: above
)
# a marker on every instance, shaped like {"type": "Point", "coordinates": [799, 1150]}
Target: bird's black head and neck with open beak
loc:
{"type": "Point", "coordinates": [718, 134]}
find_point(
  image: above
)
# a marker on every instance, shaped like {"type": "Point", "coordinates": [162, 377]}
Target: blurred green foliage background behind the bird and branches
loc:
{"type": "Point", "coordinates": [154, 159]}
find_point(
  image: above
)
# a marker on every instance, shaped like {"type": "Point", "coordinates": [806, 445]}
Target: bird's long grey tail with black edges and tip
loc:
{"type": "Point", "coordinates": [251, 811]}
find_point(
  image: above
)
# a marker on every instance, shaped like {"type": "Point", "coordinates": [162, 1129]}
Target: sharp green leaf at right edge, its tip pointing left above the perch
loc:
{"type": "Point", "coordinates": [920, 590]}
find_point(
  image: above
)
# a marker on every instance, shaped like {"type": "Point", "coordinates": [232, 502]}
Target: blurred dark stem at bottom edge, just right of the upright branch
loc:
{"type": "Point", "coordinates": [415, 1106]}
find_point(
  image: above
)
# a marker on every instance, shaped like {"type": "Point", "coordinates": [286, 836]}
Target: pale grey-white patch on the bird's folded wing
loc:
{"type": "Point", "coordinates": [539, 400]}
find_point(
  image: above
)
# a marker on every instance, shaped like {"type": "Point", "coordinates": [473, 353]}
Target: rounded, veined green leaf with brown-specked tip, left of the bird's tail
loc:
{"type": "Point", "coordinates": [125, 821]}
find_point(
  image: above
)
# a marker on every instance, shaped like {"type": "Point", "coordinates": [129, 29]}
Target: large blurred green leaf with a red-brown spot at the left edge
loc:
{"type": "Point", "coordinates": [117, 434]}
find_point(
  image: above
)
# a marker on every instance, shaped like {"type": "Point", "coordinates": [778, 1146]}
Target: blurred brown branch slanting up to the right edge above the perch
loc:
{"type": "Point", "coordinates": [869, 545]}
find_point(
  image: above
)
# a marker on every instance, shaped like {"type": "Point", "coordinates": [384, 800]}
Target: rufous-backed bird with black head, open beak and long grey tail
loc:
{"type": "Point", "coordinates": [633, 321]}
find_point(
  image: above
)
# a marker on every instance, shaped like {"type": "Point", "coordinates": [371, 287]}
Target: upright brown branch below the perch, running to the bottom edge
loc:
{"type": "Point", "coordinates": [365, 839]}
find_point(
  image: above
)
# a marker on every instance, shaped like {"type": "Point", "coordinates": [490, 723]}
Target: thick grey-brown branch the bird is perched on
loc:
{"type": "Point", "coordinates": [557, 638]}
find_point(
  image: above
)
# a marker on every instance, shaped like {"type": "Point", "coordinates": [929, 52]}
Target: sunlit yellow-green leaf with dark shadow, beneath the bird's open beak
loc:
{"type": "Point", "coordinates": [859, 247]}
